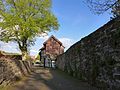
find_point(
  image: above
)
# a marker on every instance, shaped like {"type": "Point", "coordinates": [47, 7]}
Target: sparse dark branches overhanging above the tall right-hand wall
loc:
{"type": "Point", "coordinates": [100, 6]}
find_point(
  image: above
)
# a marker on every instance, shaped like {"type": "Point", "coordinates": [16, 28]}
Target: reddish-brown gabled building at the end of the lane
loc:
{"type": "Point", "coordinates": [50, 50]}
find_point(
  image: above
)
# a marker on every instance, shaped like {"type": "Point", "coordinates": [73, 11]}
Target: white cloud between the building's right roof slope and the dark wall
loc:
{"type": "Point", "coordinates": [67, 42]}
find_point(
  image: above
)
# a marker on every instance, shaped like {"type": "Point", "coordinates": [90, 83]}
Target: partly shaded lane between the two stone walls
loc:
{"type": "Point", "coordinates": [45, 79]}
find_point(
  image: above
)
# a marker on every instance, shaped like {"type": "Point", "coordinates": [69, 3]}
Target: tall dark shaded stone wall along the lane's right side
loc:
{"type": "Point", "coordinates": [95, 58]}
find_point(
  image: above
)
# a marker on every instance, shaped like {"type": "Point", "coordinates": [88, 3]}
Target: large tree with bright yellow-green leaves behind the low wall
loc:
{"type": "Point", "coordinates": [23, 20]}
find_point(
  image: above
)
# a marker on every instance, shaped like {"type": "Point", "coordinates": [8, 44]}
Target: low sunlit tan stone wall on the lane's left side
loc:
{"type": "Point", "coordinates": [12, 70]}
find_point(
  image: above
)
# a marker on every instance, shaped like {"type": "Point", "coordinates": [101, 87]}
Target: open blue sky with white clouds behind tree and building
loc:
{"type": "Point", "coordinates": [76, 21]}
